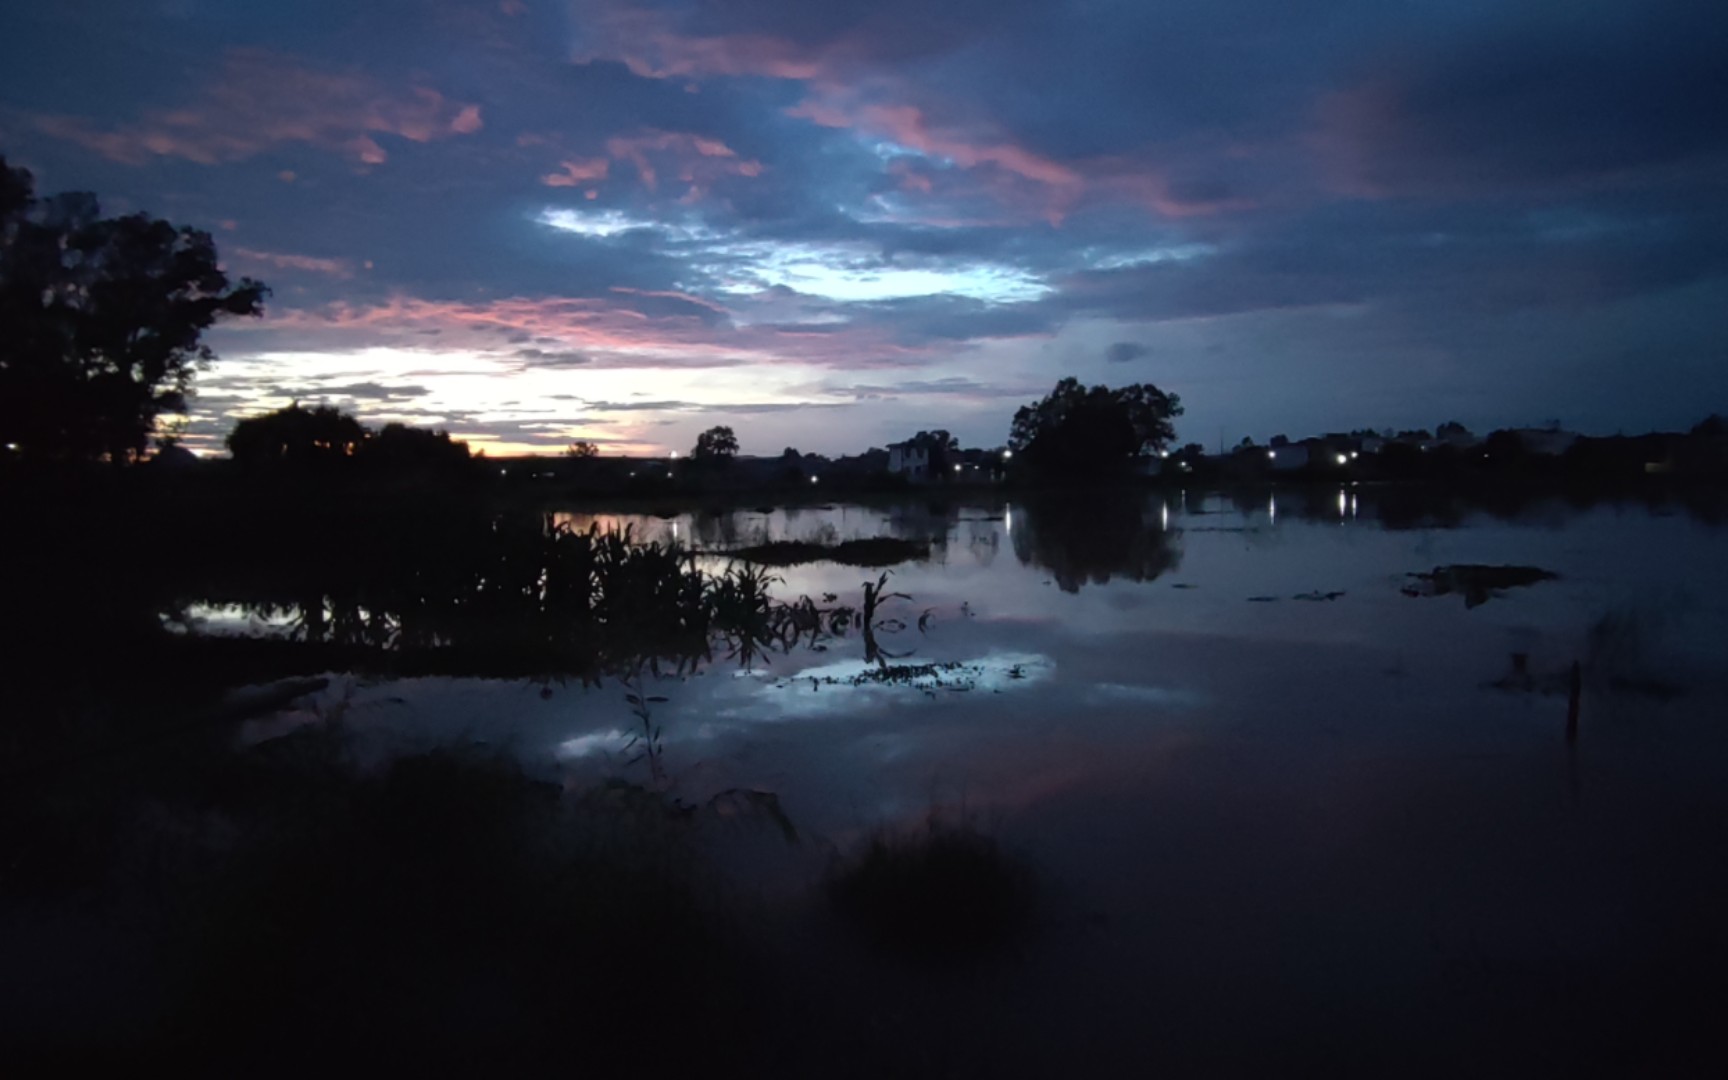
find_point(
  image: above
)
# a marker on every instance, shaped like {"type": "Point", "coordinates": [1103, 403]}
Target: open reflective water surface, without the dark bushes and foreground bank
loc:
{"type": "Point", "coordinates": [1295, 778]}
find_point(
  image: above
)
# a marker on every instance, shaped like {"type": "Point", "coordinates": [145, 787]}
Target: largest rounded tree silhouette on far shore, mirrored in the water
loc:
{"type": "Point", "coordinates": [1079, 429]}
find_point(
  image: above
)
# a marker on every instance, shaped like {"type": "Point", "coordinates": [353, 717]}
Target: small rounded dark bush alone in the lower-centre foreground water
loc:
{"type": "Point", "coordinates": [941, 894]}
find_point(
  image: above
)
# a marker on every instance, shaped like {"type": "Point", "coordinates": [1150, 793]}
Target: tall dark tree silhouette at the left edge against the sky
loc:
{"type": "Point", "coordinates": [103, 322]}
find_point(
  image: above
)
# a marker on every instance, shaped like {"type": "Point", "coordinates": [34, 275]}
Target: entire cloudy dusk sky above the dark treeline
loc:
{"type": "Point", "coordinates": [832, 226]}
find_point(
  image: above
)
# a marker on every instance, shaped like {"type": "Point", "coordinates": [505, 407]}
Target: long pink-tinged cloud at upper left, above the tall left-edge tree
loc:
{"type": "Point", "coordinates": [258, 101]}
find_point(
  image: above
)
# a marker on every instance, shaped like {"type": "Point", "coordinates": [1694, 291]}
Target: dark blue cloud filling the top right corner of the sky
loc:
{"type": "Point", "coordinates": [1622, 99]}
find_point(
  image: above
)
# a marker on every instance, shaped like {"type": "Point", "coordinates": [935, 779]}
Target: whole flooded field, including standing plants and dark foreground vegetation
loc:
{"type": "Point", "coordinates": [1340, 782]}
